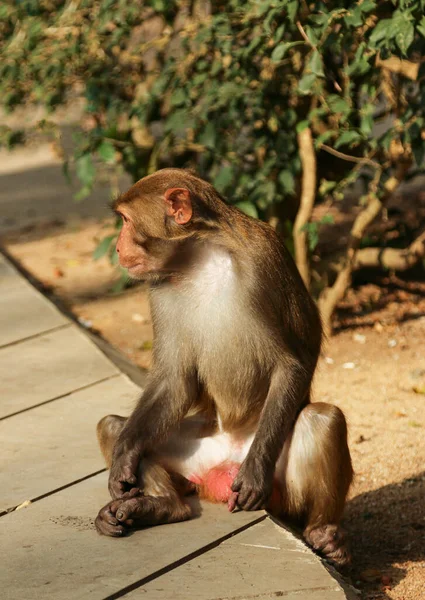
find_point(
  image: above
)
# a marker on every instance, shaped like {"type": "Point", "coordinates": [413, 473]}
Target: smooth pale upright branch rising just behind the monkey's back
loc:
{"type": "Point", "coordinates": [308, 193]}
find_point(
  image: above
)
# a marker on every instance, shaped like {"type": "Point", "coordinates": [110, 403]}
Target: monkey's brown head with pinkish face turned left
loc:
{"type": "Point", "coordinates": [160, 213]}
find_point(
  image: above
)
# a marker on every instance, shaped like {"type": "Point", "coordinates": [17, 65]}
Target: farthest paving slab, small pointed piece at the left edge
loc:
{"type": "Point", "coordinates": [24, 312]}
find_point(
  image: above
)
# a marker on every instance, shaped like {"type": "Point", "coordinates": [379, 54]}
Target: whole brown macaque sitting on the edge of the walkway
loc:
{"type": "Point", "coordinates": [226, 412]}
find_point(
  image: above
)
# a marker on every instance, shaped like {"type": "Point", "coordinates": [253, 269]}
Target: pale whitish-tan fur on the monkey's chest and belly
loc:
{"type": "Point", "coordinates": [204, 320]}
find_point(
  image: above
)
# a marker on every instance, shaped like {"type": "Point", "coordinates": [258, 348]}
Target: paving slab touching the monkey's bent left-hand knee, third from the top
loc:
{"type": "Point", "coordinates": [55, 444]}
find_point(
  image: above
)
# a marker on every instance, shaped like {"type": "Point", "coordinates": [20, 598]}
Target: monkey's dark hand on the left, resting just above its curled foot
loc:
{"type": "Point", "coordinates": [124, 469]}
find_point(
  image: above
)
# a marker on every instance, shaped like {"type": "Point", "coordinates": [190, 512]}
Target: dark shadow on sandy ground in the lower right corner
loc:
{"type": "Point", "coordinates": [387, 528]}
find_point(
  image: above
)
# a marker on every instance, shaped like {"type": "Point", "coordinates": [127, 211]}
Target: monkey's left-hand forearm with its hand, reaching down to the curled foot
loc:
{"type": "Point", "coordinates": [163, 404]}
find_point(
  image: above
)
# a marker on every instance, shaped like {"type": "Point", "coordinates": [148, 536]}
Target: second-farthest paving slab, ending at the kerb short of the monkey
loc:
{"type": "Point", "coordinates": [47, 366]}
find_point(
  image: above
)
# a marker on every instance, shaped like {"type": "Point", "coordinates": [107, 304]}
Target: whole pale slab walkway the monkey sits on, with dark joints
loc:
{"type": "Point", "coordinates": [55, 385]}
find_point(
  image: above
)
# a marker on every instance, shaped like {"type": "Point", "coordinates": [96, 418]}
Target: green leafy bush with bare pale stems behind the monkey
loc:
{"type": "Point", "coordinates": [258, 96]}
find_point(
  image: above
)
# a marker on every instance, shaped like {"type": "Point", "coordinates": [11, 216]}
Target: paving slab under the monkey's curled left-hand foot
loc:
{"type": "Point", "coordinates": [51, 549]}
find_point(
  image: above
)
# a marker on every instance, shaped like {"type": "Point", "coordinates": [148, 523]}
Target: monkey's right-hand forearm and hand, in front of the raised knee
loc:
{"type": "Point", "coordinates": [288, 390]}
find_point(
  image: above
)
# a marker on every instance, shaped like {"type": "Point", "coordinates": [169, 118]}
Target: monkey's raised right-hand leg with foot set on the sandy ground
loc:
{"type": "Point", "coordinates": [315, 472]}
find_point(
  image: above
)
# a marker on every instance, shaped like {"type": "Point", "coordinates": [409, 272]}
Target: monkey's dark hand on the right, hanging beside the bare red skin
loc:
{"type": "Point", "coordinates": [252, 486]}
